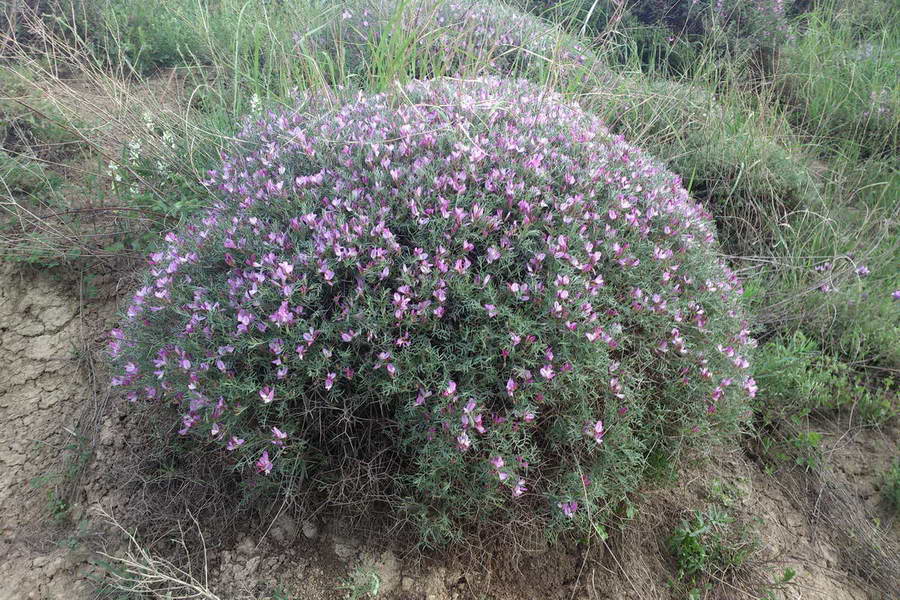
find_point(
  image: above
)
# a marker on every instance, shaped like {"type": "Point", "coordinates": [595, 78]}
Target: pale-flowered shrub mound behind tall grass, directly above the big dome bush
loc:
{"type": "Point", "coordinates": [456, 37]}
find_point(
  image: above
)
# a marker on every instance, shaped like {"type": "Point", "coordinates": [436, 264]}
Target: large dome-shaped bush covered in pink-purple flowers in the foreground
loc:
{"type": "Point", "coordinates": [464, 299]}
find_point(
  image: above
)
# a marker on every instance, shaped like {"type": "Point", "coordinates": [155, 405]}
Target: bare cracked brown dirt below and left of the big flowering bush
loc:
{"type": "Point", "coordinates": [62, 435]}
